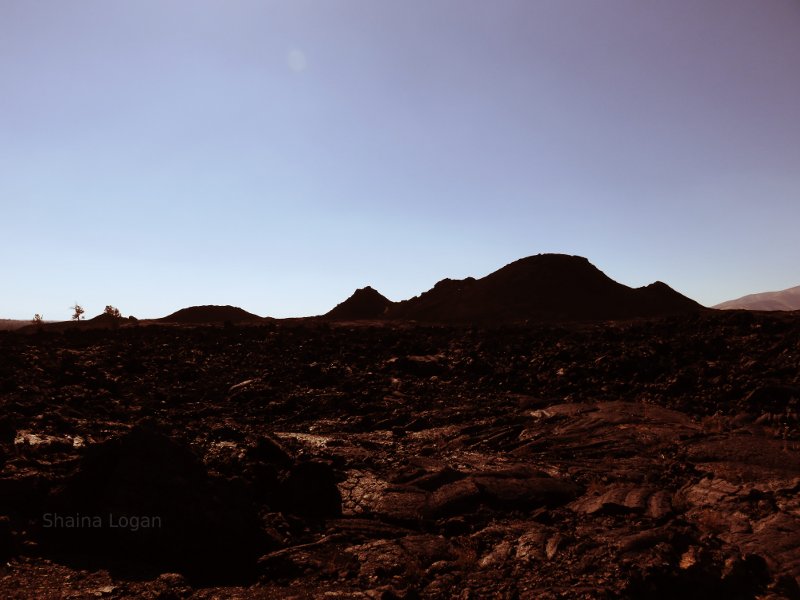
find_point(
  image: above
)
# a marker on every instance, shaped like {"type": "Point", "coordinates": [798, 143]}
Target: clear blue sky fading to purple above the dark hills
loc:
{"type": "Point", "coordinates": [275, 155]}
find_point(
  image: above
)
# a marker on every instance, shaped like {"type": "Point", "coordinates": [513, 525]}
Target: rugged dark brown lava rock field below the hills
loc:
{"type": "Point", "coordinates": [649, 459]}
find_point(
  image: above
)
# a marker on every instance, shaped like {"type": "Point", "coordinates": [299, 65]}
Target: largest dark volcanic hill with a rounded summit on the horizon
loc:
{"type": "Point", "coordinates": [545, 287]}
